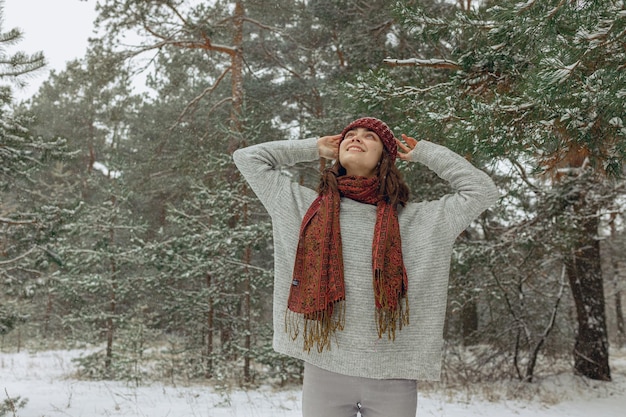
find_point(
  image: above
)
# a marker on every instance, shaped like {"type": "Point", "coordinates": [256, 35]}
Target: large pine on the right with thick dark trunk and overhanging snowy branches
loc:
{"type": "Point", "coordinates": [536, 84]}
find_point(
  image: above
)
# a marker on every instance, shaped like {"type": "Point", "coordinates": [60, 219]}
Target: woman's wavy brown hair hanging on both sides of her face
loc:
{"type": "Point", "coordinates": [392, 186]}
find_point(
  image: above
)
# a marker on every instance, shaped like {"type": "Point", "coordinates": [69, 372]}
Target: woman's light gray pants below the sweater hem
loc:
{"type": "Point", "coordinates": [327, 394]}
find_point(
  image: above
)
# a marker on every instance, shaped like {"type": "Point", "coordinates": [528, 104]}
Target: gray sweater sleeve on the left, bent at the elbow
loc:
{"type": "Point", "coordinates": [261, 165]}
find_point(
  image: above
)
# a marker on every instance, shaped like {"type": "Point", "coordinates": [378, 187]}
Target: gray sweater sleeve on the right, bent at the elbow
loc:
{"type": "Point", "coordinates": [474, 191]}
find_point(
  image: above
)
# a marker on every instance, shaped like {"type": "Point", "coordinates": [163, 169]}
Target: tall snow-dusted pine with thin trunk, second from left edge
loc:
{"type": "Point", "coordinates": [95, 232]}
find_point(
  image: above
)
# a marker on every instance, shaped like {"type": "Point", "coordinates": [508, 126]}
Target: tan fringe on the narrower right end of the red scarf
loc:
{"type": "Point", "coordinates": [390, 317]}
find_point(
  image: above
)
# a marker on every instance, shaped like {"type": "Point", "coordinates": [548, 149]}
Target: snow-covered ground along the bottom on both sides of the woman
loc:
{"type": "Point", "coordinates": [45, 379]}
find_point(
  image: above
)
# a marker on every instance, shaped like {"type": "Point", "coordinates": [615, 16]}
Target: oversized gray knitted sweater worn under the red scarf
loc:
{"type": "Point", "coordinates": [428, 231]}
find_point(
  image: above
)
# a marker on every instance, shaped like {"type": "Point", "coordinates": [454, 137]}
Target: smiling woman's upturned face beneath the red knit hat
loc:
{"type": "Point", "coordinates": [360, 151]}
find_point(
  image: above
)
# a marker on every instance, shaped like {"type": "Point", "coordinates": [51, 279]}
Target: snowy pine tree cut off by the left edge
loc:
{"type": "Point", "coordinates": [23, 250]}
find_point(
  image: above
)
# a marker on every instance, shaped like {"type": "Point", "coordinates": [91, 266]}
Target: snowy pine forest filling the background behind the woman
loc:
{"type": "Point", "coordinates": [125, 227]}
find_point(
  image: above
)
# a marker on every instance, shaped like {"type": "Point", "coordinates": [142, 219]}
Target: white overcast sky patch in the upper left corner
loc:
{"type": "Point", "coordinates": [59, 28]}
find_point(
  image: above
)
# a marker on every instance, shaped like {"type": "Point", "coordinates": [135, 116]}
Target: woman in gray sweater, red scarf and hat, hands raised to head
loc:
{"type": "Point", "coordinates": [361, 274]}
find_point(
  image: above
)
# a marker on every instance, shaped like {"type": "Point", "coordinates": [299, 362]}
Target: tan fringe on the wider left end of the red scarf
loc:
{"type": "Point", "coordinates": [317, 327]}
